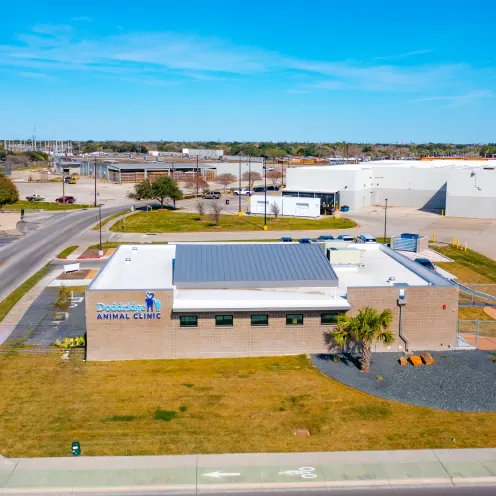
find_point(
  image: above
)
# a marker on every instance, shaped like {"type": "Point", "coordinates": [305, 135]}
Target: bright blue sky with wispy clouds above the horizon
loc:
{"type": "Point", "coordinates": [360, 71]}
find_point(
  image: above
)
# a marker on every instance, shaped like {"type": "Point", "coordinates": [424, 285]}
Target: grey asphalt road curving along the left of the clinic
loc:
{"type": "Point", "coordinates": [21, 258]}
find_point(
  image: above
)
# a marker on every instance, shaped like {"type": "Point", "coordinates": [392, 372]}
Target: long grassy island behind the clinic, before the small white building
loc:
{"type": "Point", "coordinates": [168, 221]}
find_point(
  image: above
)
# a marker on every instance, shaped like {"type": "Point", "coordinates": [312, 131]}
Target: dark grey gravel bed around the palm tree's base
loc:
{"type": "Point", "coordinates": [462, 381]}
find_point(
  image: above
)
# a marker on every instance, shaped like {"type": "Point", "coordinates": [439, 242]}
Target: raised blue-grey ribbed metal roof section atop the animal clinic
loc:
{"type": "Point", "coordinates": [257, 265]}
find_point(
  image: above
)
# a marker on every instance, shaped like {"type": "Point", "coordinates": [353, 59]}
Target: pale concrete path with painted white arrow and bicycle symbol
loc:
{"type": "Point", "coordinates": [202, 473]}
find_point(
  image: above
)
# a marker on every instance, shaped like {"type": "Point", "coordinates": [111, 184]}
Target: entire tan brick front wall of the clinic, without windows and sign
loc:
{"type": "Point", "coordinates": [426, 325]}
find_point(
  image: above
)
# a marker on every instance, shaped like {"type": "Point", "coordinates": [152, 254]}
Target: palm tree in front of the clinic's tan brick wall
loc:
{"type": "Point", "coordinates": [364, 328]}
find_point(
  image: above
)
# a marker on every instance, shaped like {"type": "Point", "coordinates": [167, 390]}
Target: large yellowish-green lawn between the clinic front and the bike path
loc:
{"type": "Point", "coordinates": [248, 405]}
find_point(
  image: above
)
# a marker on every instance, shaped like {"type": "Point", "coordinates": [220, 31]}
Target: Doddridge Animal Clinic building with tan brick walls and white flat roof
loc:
{"type": "Point", "coordinates": [256, 299]}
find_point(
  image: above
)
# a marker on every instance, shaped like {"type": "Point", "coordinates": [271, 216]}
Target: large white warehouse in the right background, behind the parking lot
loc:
{"type": "Point", "coordinates": [462, 188]}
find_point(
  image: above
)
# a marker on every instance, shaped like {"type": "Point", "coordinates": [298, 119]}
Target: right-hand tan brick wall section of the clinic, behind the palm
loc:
{"type": "Point", "coordinates": [426, 325]}
